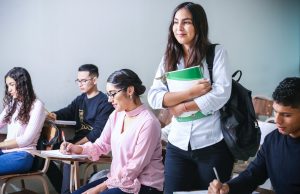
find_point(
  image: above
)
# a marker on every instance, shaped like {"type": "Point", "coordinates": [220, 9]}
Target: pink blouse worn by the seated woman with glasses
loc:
{"type": "Point", "coordinates": [137, 157]}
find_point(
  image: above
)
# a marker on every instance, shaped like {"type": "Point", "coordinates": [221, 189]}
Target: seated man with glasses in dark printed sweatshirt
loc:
{"type": "Point", "coordinates": [90, 110]}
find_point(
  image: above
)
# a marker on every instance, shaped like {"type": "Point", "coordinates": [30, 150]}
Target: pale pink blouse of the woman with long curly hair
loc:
{"type": "Point", "coordinates": [26, 135]}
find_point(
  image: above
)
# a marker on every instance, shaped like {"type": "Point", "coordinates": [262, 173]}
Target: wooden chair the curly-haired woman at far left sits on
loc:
{"type": "Point", "coordinates": [49, 130]}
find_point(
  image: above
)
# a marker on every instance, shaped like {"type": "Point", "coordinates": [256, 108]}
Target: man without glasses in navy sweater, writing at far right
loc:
{"type": "Point", "coordinates": [279, 156]}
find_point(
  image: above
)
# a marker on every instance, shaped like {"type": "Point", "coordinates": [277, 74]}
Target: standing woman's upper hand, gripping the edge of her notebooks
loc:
{"type": "Point", "coordinates": [202, 87]}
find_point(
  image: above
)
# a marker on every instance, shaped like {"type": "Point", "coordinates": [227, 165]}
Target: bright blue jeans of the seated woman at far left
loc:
{"type": "Point", "coordinates": [15, 162]}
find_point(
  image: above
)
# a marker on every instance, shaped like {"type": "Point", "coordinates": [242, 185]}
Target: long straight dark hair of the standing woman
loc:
{"type": "Point", "coordinates": [174, 50]}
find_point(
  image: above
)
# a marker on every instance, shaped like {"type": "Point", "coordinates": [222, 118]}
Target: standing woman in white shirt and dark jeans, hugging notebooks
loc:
{"type": "Point", "coordinates": [195, 145]}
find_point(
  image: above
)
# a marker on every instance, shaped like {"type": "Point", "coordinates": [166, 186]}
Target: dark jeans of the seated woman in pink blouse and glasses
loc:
{"type": "Point", "coordinates": [144, 189]}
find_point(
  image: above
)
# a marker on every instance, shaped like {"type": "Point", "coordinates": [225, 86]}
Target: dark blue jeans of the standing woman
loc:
{"type": "Point", "coordinates": [193, 169]}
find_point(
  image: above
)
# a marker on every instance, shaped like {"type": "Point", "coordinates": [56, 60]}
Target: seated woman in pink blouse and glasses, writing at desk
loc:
{"type": "Point", "coordinates": [132, 134]}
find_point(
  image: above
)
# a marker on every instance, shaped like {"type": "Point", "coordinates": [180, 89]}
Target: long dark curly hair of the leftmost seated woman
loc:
{"type": "Point", "coordinates": [25, 95]}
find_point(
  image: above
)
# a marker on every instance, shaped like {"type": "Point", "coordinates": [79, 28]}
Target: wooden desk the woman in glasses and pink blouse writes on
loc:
{"type": "Point", "coordinates": [74, 162]}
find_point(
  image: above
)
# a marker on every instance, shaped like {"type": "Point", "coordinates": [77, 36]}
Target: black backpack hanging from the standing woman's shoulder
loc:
{"type": "Point", "coordinates": [239, 125]}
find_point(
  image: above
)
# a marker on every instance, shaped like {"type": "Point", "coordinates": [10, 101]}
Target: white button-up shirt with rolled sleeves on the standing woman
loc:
{"type": "Point", "coordinates": [207, 130]}
